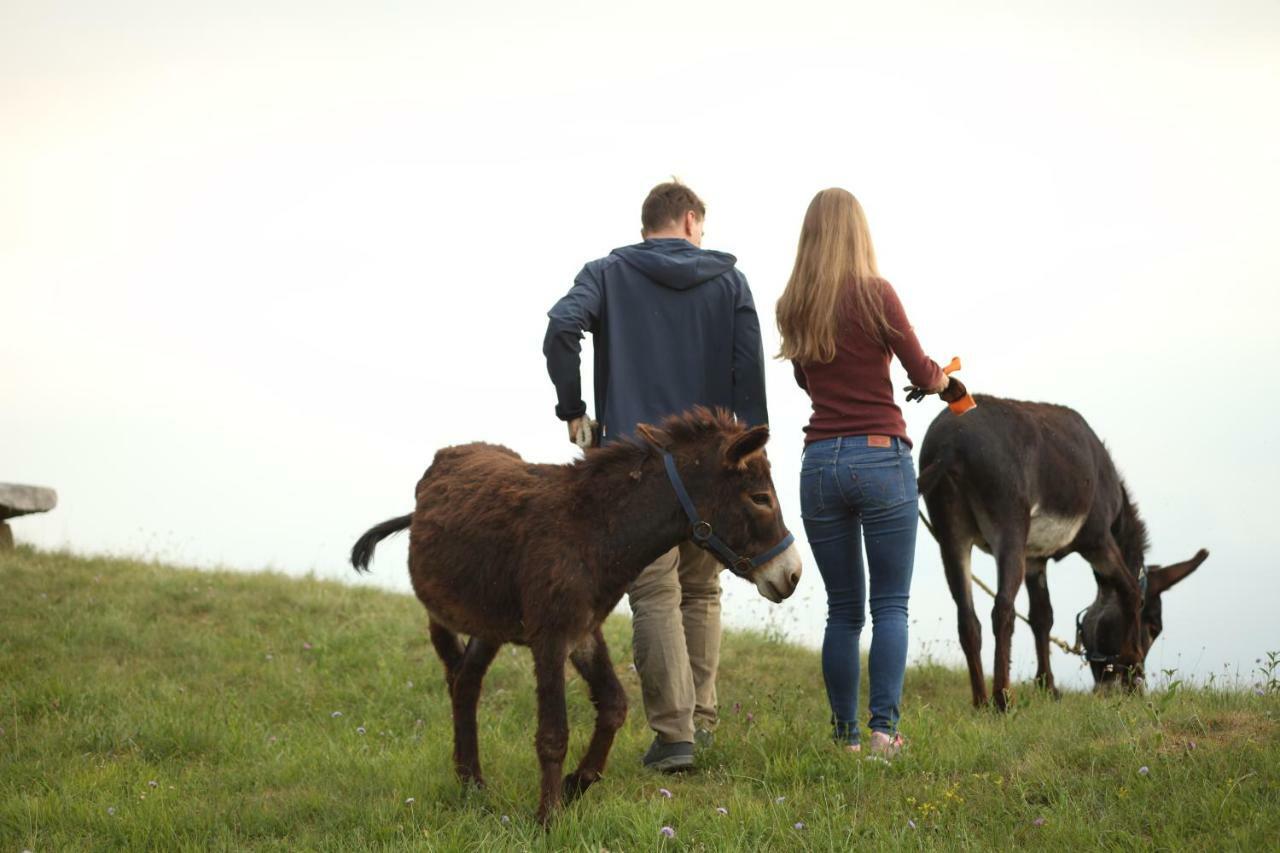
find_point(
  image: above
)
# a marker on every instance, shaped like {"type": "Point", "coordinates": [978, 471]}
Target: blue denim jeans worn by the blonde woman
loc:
{"type": "Point", "coordinates": [849, 492]}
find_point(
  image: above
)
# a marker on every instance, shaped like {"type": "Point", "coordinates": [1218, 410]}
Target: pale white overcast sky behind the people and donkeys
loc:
{"type": "Point", "coordinates": [259, 262]}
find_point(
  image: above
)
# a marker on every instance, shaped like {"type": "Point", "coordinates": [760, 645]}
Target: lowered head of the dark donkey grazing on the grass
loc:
{"type": "Point", "coordinates": [1103, 628]}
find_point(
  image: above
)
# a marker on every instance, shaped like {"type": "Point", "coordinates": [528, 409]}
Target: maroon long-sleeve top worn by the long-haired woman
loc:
{"type": "Point", "coordinates": [852, 394]}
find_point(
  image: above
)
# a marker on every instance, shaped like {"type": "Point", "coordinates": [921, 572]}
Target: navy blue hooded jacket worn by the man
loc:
{"type": "Point", "coordinates": [673, 326]}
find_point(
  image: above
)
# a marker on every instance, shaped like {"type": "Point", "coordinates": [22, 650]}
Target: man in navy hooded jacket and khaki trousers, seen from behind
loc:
{"type": "Point", "coordinates": [673, 326]}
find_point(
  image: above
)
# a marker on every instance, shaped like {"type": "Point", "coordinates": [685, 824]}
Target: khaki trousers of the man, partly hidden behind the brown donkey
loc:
{"type": "Point", "coordinates": [675, 618]}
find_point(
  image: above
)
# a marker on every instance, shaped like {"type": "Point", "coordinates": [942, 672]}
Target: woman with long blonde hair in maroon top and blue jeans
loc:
{"type": "Point", "coordinates": [842, 325]}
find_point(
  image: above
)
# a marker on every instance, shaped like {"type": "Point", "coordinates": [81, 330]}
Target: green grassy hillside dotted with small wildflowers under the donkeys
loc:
{"type": "Point", "coordinates": [144, 706]}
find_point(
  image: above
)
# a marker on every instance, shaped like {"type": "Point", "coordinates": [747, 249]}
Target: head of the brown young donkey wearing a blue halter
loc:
{"type": "Point", "coordinates": [734, 509]}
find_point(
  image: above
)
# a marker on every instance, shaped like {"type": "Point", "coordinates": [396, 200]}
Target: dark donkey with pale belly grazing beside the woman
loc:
{"type": "Point", "coordinates": [1032, 482]}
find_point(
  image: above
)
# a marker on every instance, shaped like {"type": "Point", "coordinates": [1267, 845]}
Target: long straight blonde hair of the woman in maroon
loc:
{"type": "Point", "coordinates": [835, 262]}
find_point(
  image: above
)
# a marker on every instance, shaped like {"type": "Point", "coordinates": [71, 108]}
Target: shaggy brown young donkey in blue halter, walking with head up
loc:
{"type": "Point", "coordinates": [506, 551]}
